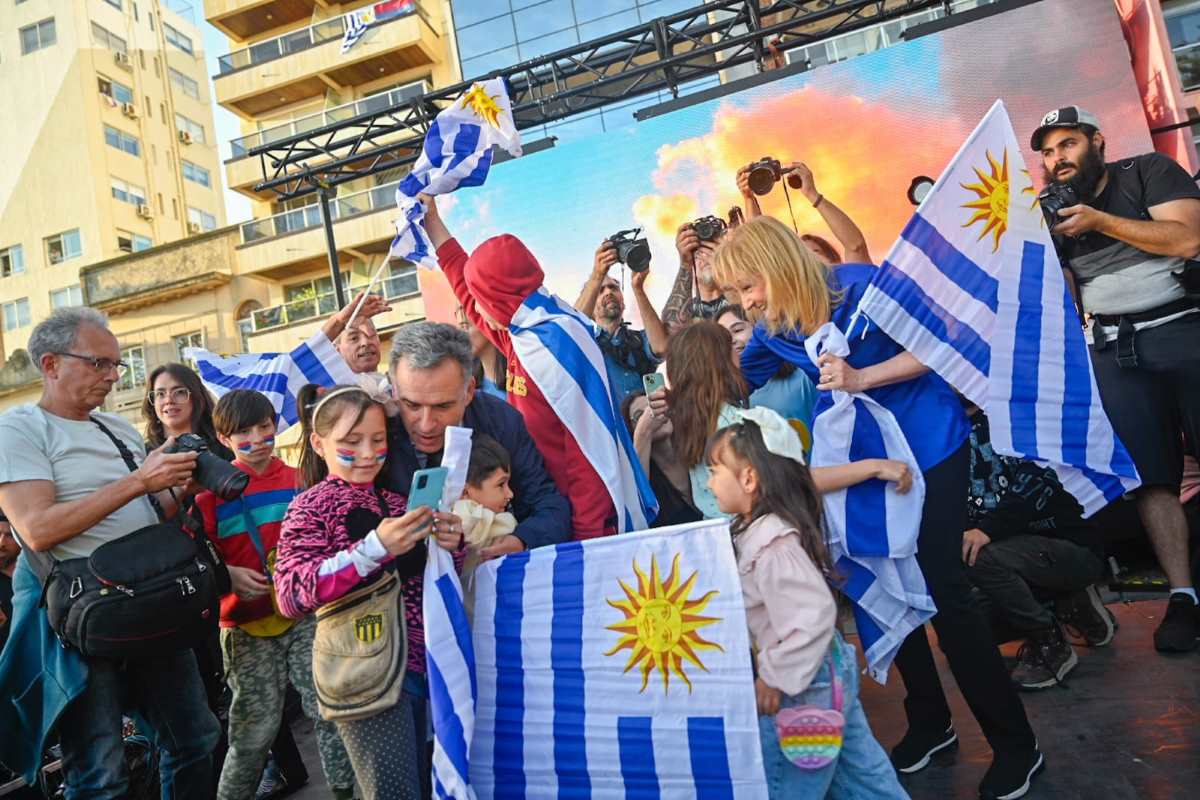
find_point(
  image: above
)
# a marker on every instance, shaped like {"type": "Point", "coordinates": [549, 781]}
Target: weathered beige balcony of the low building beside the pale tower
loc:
{"type": "Point", "coordinates": [153, 276]}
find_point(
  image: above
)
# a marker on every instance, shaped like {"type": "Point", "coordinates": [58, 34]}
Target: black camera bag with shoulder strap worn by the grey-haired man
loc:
{"type": "Point", "coordinates": [147, 594]}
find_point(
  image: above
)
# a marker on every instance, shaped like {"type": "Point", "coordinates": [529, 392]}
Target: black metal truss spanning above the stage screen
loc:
{"type": "Point", "coordinates": [659, 56]}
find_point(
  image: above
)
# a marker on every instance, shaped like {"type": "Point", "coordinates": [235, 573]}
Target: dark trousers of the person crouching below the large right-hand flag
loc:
{"type": "Point", "coordinates": [1011, 570]}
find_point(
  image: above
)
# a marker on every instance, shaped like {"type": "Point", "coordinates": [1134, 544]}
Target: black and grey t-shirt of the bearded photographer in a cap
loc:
{"type": "Point", "coordinates": [1115, 278]}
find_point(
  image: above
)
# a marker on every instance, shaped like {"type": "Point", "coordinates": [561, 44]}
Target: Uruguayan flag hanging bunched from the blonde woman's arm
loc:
{"type": "Point", "coordinates": [872, 528]}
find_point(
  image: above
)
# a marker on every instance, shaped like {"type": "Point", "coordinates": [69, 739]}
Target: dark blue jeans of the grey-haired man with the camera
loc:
{"type": "Point", "coordinates": [166, 700]}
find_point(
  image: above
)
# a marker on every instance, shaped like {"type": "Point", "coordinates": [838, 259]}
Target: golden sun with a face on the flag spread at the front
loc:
{"type": "Point", "coordinates": [662, 624]}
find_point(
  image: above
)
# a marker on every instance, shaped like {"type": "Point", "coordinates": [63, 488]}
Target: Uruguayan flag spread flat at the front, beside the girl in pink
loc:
{"type": "Point", "coordinates": [617, 667]}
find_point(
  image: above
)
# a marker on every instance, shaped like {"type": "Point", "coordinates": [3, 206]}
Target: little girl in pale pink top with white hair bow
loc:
{"type": "Point", "coordinates": [758, 474]}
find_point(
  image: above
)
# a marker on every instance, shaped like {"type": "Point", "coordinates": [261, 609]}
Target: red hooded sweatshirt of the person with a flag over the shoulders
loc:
{"type": "Point", "coordinates": [497, 279]}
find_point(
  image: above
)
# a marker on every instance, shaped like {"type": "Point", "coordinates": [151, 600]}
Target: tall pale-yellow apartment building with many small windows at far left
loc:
{"type": "Point", "coordinates": [110, 143]}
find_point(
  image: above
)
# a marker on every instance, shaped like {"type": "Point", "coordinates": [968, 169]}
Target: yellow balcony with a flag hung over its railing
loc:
{"type": "Point", "coordinates": [304, 64]}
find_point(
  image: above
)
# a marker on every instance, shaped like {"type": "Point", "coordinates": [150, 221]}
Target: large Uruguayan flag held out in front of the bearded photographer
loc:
{"type": "Point", "coordinates": [975, 291]}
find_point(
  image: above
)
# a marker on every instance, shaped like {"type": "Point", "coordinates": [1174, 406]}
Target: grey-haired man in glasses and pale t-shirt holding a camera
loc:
{"type": "Point", "coordinates": [67, 490]}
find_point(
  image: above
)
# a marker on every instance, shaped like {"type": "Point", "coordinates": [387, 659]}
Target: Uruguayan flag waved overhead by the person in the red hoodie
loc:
{"type": "Point", "coordinates": [458, 152]}
